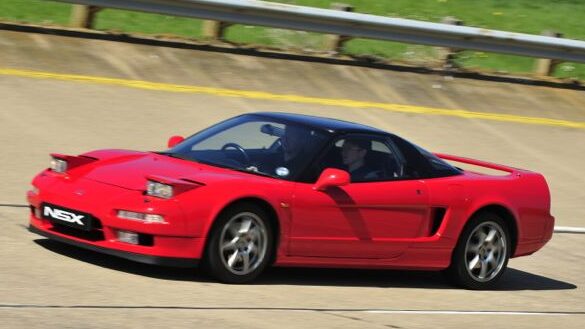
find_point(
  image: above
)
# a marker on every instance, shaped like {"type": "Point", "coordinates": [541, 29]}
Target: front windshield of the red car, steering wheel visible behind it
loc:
{"type": "Point", "coordinates": [254, 144]}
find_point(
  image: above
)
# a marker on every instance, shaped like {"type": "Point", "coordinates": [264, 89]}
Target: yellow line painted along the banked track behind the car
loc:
{"type": "Point", "coordinates": [294, 98]}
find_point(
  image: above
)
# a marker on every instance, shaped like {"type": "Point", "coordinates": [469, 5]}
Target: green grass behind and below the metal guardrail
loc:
{"type": "Point", "coordinates": [526, 16]}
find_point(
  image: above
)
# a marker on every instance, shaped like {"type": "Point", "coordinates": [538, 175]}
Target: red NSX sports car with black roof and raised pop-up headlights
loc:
{"type": "Point", "coordinates": [292, 190]}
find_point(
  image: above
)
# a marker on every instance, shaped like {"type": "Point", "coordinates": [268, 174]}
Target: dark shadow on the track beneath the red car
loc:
{"type": "Point", "coordinates": [513, 280]}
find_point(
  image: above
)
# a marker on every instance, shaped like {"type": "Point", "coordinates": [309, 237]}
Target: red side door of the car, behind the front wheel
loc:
{"type": "Point", "coordinates": [368, 219]}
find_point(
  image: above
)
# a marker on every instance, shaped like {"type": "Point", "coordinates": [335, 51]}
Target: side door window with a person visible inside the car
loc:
{"type": "Point", "coordinates": [366, 158]}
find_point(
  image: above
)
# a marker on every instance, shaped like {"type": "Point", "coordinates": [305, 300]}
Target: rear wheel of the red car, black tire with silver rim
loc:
{"type": "Point", "coordinates": [482, 253]}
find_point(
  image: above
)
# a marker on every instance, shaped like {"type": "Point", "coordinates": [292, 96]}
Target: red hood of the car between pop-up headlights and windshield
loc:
{"type": "Point", "coordinates": [130, 171]}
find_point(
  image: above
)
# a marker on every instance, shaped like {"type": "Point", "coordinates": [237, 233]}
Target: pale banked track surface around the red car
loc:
{"type": "Point", "coordinates": [45, 284]}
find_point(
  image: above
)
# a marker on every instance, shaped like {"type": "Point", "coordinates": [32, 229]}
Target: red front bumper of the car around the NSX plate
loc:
{"type": "Point", "coordinates": [171, 243]}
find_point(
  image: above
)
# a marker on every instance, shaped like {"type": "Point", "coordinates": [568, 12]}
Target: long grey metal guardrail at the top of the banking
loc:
{"type": "Point", "coordinates": [349, 24]}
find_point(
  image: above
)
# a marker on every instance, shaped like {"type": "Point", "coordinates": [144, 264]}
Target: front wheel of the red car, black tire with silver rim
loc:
{"type": "Point", "coordinates": [241, 244]}
